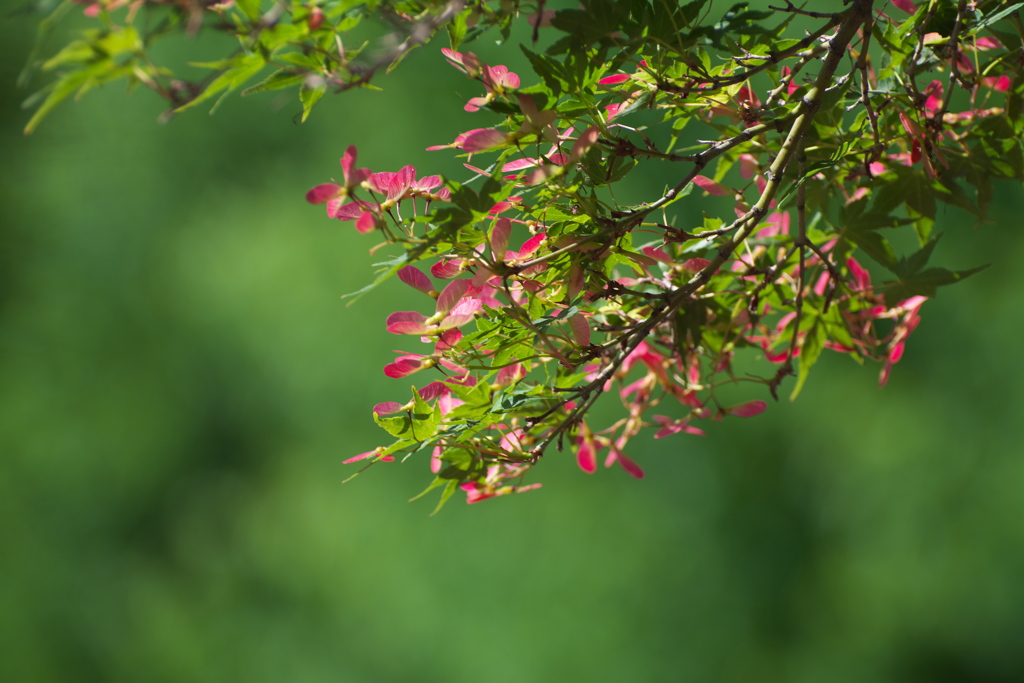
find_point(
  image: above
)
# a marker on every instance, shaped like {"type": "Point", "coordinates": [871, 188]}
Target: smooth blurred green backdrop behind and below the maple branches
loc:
{"type": "Point", "coordinates": [180, 383]}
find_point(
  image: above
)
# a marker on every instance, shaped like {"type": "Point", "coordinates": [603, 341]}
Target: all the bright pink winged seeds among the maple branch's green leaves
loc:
{"type": "Point", "coordinates": [499, 277]}
